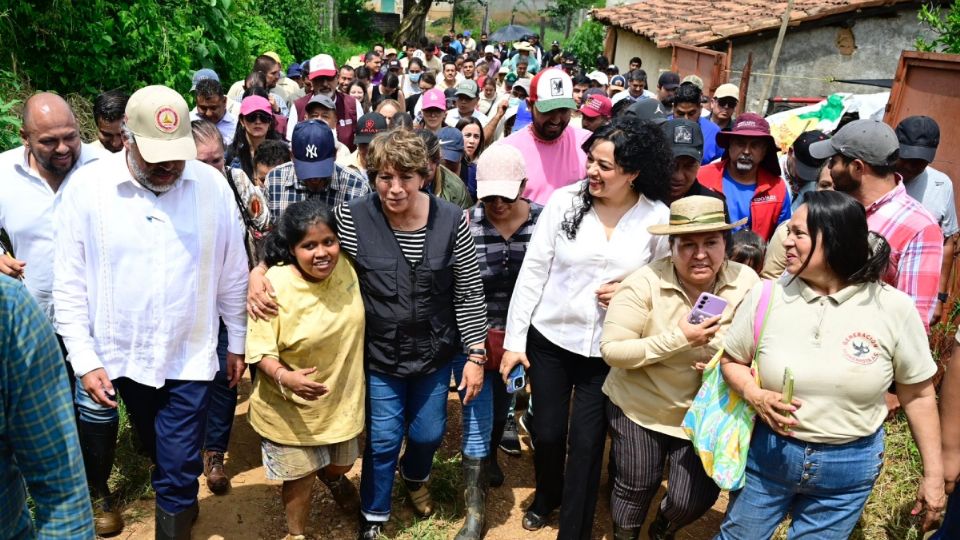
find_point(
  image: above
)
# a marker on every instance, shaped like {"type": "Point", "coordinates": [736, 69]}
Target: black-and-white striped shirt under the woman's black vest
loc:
{"type": "Point", "coordinates": [468, 300]}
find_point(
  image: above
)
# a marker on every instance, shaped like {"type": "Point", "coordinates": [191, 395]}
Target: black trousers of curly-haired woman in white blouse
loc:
{"type": "Point", "coordinates": [556, 375]}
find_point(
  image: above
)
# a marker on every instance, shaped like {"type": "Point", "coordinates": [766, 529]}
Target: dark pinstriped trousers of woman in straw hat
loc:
{"type": "Point", "coordinates": [640, 455]}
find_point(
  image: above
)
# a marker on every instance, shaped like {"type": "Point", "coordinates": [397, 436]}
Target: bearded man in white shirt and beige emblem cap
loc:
{"type": "Point", "coordinates": [149, 253]}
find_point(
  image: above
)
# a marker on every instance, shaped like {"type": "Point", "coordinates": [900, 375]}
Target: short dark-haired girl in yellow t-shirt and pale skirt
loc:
{"type": "Point", "coordinates": [308, 400]}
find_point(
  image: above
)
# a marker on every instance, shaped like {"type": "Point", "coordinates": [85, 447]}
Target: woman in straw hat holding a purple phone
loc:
{"type": "Point", "coordinates": [656, 354]}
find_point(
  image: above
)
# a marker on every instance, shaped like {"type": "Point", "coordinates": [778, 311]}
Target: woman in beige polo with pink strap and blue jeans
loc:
{"type": "Point", "coordinates": [845, 336]}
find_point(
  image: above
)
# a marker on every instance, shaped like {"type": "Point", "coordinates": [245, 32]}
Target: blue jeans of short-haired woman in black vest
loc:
{"type": "Point", "coordinates": [398, 406]}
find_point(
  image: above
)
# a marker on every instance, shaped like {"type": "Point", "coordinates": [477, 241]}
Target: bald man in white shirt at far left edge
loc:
{"type": "Point", "coordinates": [34, 178]}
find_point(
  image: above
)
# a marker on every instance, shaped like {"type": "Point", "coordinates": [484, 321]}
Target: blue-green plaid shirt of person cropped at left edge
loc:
{"type": "Point", "coordinates": [39, 449]}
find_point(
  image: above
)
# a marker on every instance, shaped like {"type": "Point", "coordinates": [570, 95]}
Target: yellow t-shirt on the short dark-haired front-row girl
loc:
{"type": "Point", "coordinates": [320, 325]}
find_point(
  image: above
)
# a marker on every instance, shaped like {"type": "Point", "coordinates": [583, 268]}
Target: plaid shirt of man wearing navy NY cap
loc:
{"type": "Point", "coordinates": [283, 188]}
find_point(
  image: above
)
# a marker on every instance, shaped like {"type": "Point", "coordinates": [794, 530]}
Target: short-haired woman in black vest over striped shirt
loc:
{"type": "Point", "coordinates": [420, 280]}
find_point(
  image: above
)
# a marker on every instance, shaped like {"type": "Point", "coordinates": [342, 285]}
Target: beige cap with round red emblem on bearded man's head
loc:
{"type": "Point", "coordinates": [160, 120]}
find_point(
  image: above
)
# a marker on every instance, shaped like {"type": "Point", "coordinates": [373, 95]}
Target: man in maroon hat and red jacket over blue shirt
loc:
{"type": "Point", "coordinates": [749, 176]}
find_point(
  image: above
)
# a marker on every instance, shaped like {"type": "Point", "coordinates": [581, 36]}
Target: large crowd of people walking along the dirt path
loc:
{"type": "Point", "coordinates": [357, 236]}
